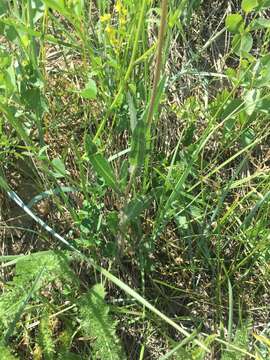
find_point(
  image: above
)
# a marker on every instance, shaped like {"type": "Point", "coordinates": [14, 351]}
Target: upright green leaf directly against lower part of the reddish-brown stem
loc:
{"type": "Point", "coordinates": [138, 145]}
